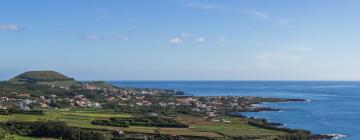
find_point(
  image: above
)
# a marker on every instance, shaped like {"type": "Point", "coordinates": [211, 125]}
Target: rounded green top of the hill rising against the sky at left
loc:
{"type": "Point", "coordinates": [37, 77]}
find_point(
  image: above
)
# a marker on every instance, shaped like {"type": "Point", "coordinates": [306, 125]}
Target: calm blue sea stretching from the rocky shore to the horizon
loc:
{"type": "Point", "coordinates": [333, 106]}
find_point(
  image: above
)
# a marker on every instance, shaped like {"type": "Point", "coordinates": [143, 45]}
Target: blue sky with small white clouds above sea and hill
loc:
{"type": "Point", "coordinates": [182, 39]}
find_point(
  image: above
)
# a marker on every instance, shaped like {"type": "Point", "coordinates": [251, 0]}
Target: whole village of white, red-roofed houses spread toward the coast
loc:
{"type": "Point", "coordinates": [207, 106]}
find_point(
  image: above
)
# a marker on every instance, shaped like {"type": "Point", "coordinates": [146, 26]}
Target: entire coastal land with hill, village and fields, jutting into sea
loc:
{"type": "Point", "coordinates": [47, 104]}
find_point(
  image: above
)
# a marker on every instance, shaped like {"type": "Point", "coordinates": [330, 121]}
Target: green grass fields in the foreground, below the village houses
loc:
{"type": "Point", "coordinates": [198, 126]}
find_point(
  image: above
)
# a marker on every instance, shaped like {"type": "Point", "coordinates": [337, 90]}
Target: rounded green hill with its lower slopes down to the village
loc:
{"type": "Point", "coordinates": [40, 83]}
